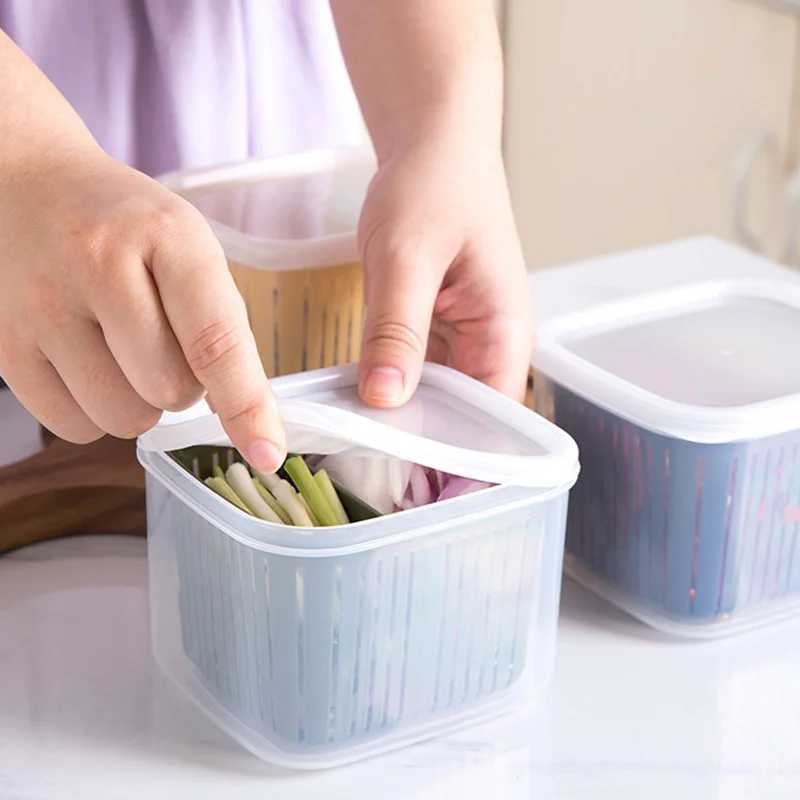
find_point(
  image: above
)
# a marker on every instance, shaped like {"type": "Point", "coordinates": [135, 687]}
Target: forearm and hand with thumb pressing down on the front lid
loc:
{"type": "Point", "coordinates": [444, 272]}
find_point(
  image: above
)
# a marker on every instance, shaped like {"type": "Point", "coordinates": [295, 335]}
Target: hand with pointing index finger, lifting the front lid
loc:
{"type": "Point", "coordinates": [116, 303]}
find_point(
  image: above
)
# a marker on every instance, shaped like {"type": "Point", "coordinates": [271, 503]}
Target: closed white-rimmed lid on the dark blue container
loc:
{"type": "Point", "coordinates": [708, 362]}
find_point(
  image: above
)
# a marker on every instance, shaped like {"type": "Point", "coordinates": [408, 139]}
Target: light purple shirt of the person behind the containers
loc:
{"type": "Point", "coordinates": [172, 84]}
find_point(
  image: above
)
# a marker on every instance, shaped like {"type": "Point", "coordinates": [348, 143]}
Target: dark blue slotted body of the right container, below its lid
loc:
{"type": "Point", "coordinates": [696, 533]}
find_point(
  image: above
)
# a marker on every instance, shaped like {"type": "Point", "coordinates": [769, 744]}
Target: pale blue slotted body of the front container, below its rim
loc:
{"type": "Point", "coordinates": [317, 661]}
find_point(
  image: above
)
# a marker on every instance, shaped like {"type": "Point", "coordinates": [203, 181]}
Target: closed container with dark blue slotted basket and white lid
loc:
{"type": "Point", "coordinates": [685, 405]}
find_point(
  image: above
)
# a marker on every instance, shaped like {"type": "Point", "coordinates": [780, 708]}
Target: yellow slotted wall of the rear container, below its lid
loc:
{"type": "Point", "coordinates": [304, 319]}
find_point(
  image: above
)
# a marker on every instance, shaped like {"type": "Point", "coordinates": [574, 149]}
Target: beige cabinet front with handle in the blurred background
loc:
{"type": "Point", "coordinates": [627, 120]}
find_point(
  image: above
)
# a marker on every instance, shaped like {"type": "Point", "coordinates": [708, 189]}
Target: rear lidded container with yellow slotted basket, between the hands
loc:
{"type": "Point", "coordinates": [288, 228]}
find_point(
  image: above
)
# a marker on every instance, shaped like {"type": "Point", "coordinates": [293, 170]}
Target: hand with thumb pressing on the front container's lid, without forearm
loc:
{"type": "Point", "coordinates": [444, 273]}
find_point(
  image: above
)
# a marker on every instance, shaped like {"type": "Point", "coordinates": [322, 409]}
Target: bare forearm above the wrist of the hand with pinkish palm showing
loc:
{"type": "Point", "coordinates": [424, 68]}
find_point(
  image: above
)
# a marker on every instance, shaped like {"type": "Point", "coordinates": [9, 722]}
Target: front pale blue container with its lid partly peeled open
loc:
{"type": "Point", "coordinates": [318, 647]}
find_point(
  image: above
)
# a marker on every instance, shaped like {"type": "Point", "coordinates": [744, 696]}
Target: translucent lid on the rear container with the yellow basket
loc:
{"type": "Point", "coordinates": [293, 212]}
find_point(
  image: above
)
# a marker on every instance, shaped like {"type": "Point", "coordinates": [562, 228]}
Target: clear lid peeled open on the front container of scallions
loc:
{"type": "Point", "coordinates": [452, 424]}
